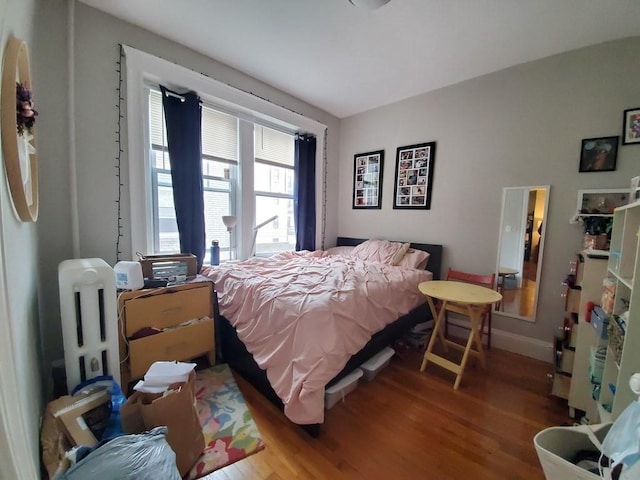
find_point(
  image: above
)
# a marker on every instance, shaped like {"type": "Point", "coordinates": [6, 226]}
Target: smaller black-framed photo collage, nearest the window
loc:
{"type": "Point", "coordinates": [367, 179]}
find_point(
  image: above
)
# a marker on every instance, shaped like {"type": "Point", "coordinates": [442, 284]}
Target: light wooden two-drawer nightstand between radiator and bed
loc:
{"type": "Point", "coordinates": [168, 309]}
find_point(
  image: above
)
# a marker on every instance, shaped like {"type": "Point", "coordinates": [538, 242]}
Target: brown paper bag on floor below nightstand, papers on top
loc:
{"type": "Point", "coordinates": [175, 409]}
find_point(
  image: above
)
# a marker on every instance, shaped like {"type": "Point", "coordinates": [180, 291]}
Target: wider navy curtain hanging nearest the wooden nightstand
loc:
{"type": "Point", "coordinates": [183, 118]}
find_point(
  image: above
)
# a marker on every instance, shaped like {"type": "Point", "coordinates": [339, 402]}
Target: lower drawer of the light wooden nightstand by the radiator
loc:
{"type": "Point", "coordinates": [181, 343]}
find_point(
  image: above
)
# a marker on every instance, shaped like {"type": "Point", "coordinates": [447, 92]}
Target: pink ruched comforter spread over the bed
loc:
{"type": "Point", "coordinates": [302, 315]}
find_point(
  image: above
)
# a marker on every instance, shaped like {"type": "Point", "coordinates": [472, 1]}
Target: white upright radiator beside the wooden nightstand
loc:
{"type": "Point", "coordinates": [88, 308]}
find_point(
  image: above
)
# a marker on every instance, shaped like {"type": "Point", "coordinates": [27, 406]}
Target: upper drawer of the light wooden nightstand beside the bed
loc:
{"type": "Point", "coordinates": [170, 308]}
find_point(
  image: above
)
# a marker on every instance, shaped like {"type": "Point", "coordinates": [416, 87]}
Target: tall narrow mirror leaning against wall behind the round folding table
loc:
{"type": "Point", "coordinates": [519, 263]}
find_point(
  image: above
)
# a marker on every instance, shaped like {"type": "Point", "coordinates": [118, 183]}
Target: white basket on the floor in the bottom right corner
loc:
{"type": "Point", "coordinates": [556, 446]}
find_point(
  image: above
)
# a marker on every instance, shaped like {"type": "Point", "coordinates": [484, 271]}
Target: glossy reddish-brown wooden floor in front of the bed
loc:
{"type": "Point", "coordinates": [411, 425]}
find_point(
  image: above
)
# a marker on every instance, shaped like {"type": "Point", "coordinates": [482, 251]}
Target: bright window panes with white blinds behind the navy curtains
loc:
{"type": "Point", "coordinates": [270, 156]}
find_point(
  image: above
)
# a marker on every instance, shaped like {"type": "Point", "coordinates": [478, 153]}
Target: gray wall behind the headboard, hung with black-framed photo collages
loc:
{"type": "Point", "coordinates": [520, 126]}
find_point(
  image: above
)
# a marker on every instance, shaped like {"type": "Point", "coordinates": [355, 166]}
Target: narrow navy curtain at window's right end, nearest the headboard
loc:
{"type": "Point", "coordinates": [304, 192]}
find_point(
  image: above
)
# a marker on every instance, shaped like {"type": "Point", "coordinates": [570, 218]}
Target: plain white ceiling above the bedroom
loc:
{"type": "Point", "coordinates": [346, 60]}
